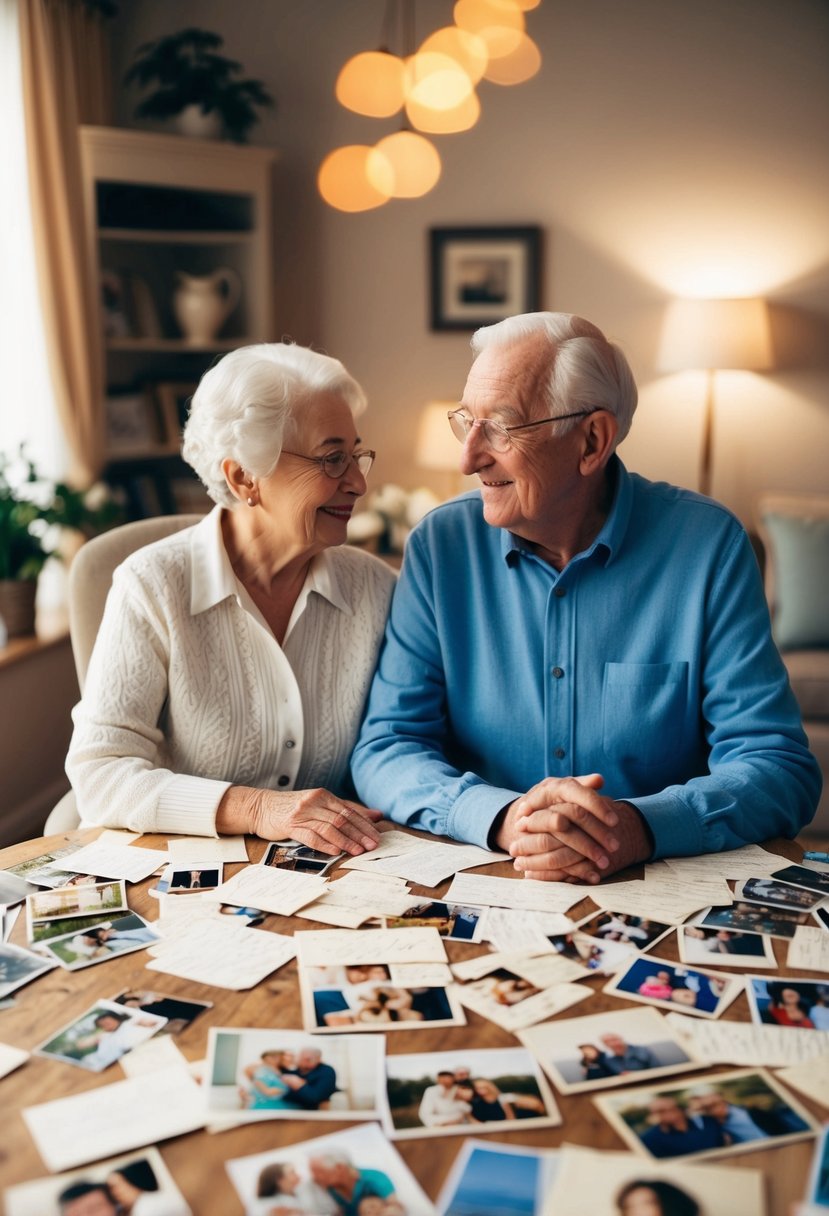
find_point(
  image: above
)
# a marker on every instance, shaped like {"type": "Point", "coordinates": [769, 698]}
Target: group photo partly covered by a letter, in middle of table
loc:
{"type": "Point", "coordinates": [363, 998]}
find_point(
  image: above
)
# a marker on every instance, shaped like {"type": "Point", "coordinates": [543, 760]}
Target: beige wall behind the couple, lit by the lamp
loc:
{"type": "Point", "coordinates": [668, 148]}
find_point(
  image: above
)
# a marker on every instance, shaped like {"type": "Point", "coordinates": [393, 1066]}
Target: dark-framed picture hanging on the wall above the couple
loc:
{"type": "Point", "coordinates": [482, 275]}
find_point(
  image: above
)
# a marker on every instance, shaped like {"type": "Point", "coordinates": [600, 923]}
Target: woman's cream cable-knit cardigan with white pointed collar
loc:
{"type": "Point", "coordinates": [189, 693]}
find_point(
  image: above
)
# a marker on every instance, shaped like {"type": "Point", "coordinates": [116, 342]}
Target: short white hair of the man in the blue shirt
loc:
{"type": "Point", "coordinates": [586, 371]}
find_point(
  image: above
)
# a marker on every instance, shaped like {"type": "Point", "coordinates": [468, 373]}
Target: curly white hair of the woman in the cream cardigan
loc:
{"type": "Point", "coordinates": [244, 408]}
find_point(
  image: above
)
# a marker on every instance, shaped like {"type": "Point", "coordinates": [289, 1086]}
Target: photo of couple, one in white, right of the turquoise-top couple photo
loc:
{"type": "Point", "coordinates": [486, 1090]}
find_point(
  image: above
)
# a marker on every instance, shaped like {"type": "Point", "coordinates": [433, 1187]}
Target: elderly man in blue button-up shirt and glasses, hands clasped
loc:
{"type": "Point", "coordinates": [579, 666]}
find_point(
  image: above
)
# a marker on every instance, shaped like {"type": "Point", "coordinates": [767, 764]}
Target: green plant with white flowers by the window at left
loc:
{"type": "Point", "coordinates": [31, 510]}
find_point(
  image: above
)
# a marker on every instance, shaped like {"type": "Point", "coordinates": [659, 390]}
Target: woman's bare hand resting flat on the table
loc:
{"type": "Point", "coordinates": [315, 818]}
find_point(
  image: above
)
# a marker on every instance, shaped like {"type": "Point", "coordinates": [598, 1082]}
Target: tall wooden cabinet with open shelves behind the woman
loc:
{"type": "Point", "coordinates": [160, 207]}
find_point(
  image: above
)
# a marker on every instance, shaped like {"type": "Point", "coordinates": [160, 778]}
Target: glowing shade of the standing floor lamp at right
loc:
{"type": "Point", "coordinates": [714, 335]}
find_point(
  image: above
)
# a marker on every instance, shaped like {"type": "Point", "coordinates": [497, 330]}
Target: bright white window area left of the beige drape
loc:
{"type": "Point", "coordinates": [27, 402]}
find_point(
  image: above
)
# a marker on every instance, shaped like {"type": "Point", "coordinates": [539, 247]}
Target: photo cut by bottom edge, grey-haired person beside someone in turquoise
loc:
{"type": "Point", "coordinates": [353, 1172]}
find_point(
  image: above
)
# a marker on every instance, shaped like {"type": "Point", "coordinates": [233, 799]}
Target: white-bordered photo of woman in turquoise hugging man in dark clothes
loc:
{"type": "Point", "coordinates": [286, 1074]}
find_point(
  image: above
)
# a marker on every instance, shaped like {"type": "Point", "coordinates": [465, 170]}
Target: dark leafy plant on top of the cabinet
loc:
{"type": "Point", "coordinates": [194, 78]}
